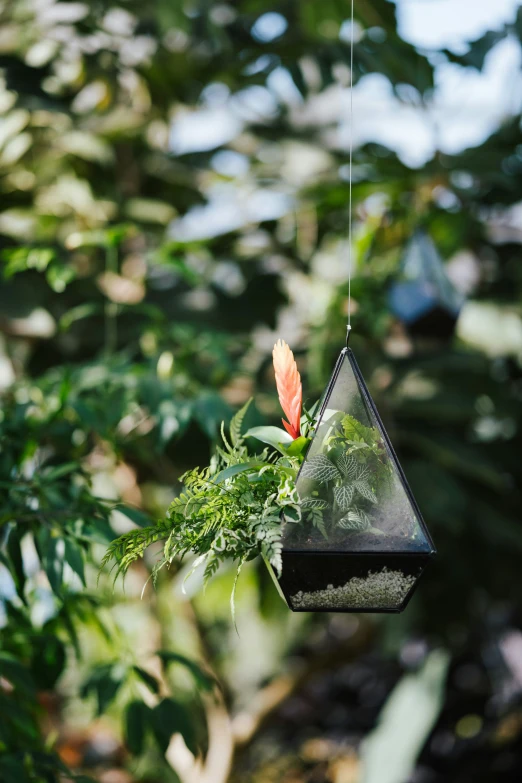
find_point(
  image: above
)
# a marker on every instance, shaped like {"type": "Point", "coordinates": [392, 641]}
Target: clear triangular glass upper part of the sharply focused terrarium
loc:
{"type": "Point", "coordinates": [354, 496]}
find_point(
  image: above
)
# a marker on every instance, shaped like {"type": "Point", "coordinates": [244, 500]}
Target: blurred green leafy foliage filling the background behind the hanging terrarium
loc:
{"type": "Point", "coordinates": [130, 327]}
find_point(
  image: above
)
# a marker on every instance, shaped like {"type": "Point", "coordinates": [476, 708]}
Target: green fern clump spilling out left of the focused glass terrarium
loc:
{"type": "Point", "coordinates": [235, 518]}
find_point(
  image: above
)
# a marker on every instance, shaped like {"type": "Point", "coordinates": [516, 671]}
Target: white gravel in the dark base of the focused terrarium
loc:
{"type": "Point", "coordinates": [381, 590]}
